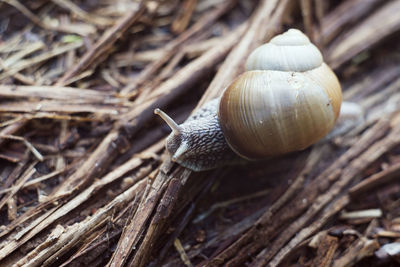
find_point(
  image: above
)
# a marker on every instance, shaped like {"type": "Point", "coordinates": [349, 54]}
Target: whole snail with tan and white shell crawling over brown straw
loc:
{"type": "Point", "coordinates": [287, 100]}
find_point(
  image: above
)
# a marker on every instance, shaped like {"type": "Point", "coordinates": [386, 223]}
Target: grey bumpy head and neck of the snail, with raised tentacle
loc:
{"type": "Point", "coordinates": [199, 144]}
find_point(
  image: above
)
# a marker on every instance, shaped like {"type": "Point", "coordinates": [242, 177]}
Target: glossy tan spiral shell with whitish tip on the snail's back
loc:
{"type": "Point", "coordinates": [288, 100]}
